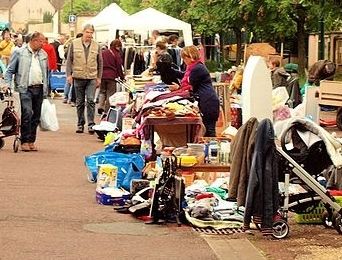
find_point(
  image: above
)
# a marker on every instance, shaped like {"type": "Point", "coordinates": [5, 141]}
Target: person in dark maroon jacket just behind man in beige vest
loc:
{"type": "Point", "coordinates": [112, 69]}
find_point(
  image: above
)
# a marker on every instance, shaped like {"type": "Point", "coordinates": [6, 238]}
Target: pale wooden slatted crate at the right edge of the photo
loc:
{"type": "Point", "coordinates": [330, 93]}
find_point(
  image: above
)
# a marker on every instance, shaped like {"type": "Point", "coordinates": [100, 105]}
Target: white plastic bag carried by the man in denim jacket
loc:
{"type": "Point", "coordinates": [48, 117]}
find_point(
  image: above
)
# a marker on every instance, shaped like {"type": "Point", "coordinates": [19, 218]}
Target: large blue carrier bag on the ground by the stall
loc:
{"type": "Point", "coordinates": [129, 166]}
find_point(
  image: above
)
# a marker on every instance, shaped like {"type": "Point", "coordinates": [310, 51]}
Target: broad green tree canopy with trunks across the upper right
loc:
{"type": "Point", "coordinates": [269, 20]}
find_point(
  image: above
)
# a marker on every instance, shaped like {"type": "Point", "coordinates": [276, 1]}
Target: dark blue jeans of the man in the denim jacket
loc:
{"type": "Point", "coordinates": [31, 104]}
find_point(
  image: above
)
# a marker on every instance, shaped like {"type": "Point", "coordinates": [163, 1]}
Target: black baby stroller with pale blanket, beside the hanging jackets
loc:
{"type": "Point", "coordinates": [306, 150]}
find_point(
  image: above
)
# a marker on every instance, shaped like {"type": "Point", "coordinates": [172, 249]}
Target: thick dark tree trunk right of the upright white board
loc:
{"type": "Point", "coordinates": [301, 37]}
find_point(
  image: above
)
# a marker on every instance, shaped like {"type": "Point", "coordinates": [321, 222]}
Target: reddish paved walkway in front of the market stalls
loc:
{"type": "Point", "coordinates": [48, 210]}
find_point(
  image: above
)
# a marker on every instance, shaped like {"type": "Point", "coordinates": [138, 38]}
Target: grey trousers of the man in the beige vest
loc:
{"type": "Point", "coordinates": [85, 91]}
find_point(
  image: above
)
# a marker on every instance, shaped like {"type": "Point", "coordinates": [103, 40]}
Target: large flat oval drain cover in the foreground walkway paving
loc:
{"type": "Point", "coordinates": [124, 228]}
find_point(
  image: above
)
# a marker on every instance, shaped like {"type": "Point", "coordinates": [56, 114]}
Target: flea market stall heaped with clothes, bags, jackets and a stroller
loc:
{"type": "Point", "coordinates": [269, 160]}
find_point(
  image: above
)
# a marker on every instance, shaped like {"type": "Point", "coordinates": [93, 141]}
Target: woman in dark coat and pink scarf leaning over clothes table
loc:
{"type": "Point", "coordinates": [197, 79]}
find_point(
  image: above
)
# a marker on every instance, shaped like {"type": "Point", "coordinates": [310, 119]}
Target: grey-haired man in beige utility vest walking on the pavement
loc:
{"type": "Point", "coordinates": [84, 70]}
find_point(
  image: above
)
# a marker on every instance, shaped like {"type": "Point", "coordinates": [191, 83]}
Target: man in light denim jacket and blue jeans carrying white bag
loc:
{"type": "Point", "coordinates": [29, 64]}
